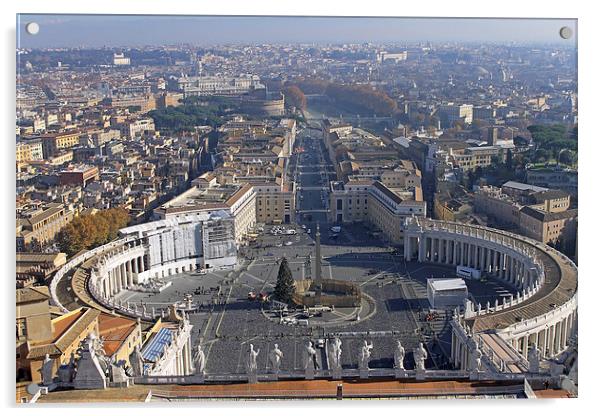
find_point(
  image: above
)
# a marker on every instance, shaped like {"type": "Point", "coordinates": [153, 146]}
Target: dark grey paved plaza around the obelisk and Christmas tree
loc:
{"type": "Point", "coordinates": [394, 306]}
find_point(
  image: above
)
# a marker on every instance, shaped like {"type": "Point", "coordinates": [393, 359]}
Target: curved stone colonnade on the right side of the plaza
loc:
{"type": "Point", "coordinates": [542, 312]}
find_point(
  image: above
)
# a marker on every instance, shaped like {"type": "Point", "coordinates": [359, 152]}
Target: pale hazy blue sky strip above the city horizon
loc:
{"type": "Point", "coordinates": [106, 30]}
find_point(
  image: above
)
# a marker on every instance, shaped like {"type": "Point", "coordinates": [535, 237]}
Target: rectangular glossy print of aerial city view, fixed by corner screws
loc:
{"type": "Point", "coordinates": [375, 217]}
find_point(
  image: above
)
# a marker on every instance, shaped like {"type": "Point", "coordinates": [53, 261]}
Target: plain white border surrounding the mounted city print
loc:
{"type": "Point", "coordinates": [589, 64]}
